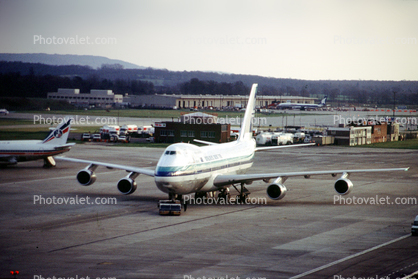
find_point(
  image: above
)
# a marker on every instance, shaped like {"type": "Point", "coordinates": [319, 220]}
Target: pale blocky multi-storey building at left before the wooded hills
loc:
{"type": "Point", "coordinates": [99, 98]}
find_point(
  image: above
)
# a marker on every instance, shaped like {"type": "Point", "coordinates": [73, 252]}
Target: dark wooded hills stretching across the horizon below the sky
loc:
{"type": "Point", "coordinates": [19, 79]}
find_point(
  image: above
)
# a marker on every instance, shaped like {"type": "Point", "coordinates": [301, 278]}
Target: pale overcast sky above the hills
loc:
{"type": "Point", "coordinates": [304, 39]}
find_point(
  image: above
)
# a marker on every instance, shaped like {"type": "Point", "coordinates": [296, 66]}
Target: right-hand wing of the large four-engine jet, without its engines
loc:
{"type": "Point", "coordinates": [225, 180]}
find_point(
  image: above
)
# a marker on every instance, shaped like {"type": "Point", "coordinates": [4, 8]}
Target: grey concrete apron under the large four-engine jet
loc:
{"type": "Point", "coordinates": [308, 234]}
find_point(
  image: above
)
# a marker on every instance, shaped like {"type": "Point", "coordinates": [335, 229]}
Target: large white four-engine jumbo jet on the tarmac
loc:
{"type": "Point", "coordinates": [185, 169]}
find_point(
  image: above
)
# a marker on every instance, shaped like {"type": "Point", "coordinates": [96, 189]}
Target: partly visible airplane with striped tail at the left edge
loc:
{"type": "Point", "coordinates": [13, 151]}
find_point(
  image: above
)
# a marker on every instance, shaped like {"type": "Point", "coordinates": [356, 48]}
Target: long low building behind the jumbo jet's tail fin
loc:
{"type": "Point", "coordinates": [205, 101]}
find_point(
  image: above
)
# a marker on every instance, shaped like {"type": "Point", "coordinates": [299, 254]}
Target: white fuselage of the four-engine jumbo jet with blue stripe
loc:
{"type": "Point", "coordinates": [185, 168]}
